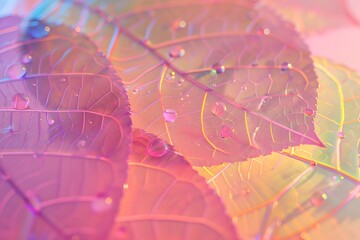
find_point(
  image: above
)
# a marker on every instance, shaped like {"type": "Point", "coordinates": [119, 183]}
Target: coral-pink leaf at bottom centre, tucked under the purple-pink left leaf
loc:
{"type": "Point", "coordinates": [166, 199]}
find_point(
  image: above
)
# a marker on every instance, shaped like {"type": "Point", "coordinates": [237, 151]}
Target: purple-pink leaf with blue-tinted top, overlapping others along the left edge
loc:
{"type": "Point", "coordinates": [65, 134]}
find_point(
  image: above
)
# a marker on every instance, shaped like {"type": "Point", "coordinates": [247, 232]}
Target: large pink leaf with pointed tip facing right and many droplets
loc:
{"type": "Point", "coordinates": [222, 82]}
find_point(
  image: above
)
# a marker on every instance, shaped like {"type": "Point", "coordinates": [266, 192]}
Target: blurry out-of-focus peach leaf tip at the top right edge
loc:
{"type": "Point", "coordinates": [314, 16]}
